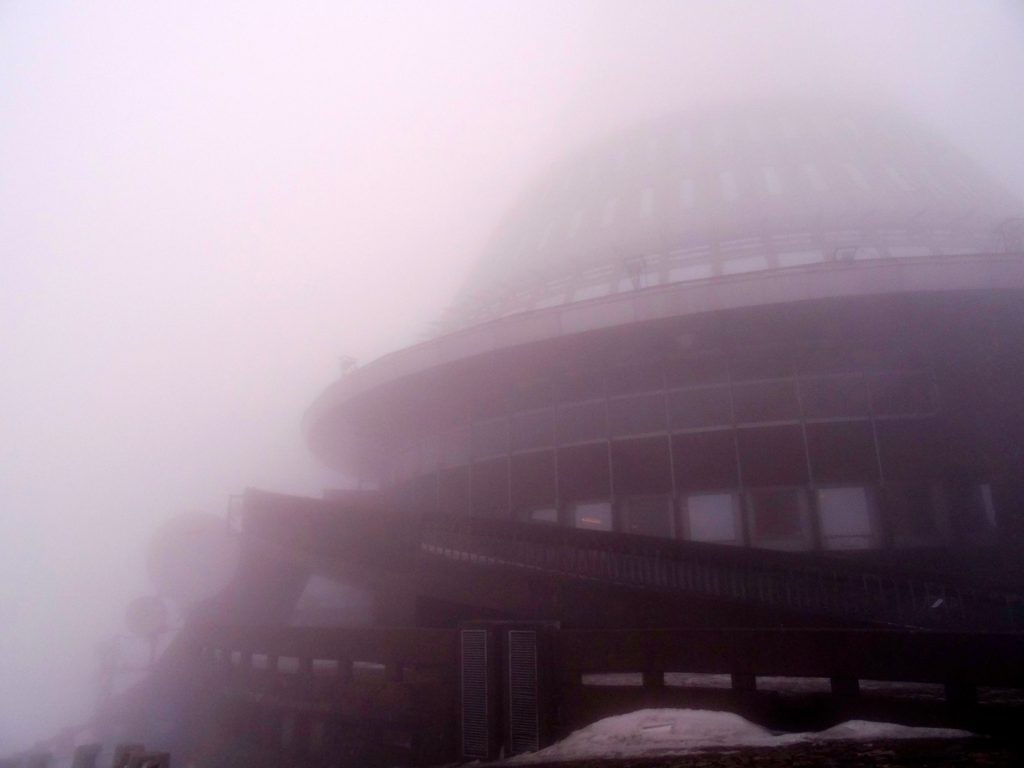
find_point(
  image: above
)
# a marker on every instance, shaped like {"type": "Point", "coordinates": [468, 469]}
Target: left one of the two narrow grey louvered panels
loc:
{"type": "Point", "coordinates": [478, 709]}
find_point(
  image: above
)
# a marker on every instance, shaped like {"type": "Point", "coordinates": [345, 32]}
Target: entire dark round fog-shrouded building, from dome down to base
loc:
{"type": "Point", "coordinates": [737, 393]}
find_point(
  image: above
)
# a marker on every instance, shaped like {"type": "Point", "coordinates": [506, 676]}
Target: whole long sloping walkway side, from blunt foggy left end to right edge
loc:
{"type": "Point", "coordinates": [851, 590]}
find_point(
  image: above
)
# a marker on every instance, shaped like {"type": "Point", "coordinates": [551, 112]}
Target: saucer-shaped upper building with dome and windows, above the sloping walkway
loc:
{"type": "Point", "coordinates": [775, 327]}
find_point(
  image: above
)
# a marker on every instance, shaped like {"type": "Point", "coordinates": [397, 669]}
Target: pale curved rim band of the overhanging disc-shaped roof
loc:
{"type": "Point", "coordinates": [327, 422]}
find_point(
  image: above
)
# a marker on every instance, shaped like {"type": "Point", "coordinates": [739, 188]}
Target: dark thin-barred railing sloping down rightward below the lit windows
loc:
{"type": "Point", "coordinates": [812, 584]}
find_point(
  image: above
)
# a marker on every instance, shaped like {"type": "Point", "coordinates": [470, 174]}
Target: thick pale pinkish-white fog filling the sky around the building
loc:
{"type": "Point", "coordinates": [205, 206]}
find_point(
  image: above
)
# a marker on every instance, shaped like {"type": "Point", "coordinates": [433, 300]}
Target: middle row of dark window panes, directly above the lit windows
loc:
{"type": "Point", "coordinates": [898, 453]}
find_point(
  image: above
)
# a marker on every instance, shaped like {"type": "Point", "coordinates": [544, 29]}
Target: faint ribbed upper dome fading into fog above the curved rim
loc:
{"type": "Point", "coordinates": [707, 194]}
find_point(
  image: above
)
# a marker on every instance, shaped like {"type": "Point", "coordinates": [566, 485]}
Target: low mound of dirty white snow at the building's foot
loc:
{"type": "Point", "coordinates": [660, 733]}
